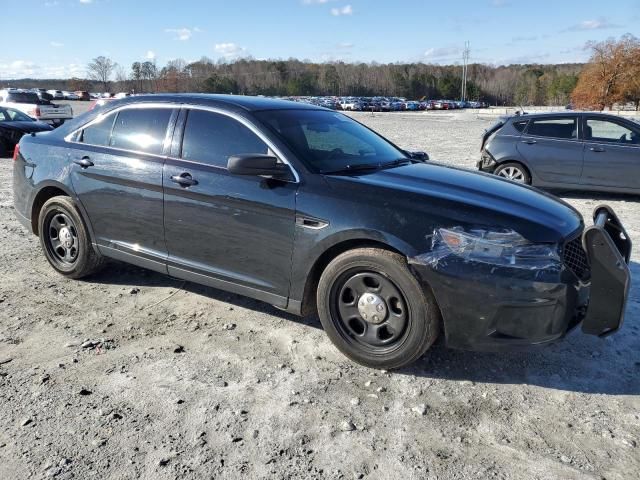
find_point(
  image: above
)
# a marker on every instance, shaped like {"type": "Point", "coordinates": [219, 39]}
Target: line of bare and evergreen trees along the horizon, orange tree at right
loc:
{"type": "Point", "coordinates": [612, 76]}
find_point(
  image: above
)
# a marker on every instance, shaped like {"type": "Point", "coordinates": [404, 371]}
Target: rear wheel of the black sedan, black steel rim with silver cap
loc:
{"type": "Point", "coordinates": [65, 240]}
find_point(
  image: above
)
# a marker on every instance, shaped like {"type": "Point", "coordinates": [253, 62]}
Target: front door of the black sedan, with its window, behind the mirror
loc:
{"type": "Point", "coordinates": [229, 231]}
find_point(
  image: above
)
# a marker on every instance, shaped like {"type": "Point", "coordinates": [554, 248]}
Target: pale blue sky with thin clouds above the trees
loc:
{"type": "Point", "coordinates": [58, 38]}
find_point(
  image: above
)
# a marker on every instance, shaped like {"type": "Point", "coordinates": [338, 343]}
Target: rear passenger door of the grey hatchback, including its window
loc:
{"type": "Point", "coordinates": [552, 149]}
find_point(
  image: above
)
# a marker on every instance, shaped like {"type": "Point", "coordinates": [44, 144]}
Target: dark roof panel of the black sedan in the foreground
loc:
{"type": "Point", "coordinates": [244, 102]}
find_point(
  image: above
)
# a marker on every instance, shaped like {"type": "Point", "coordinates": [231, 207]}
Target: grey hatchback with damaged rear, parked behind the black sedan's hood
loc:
{"type": "Point", "coordinates": [577, 150]}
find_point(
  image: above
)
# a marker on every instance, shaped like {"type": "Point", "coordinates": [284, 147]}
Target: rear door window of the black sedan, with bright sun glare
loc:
{"type": "Point", "coordinates": [141, 129]}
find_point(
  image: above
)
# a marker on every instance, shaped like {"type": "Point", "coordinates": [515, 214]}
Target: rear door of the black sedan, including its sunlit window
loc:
{"type": "Point", "coordinates": [116, 166]}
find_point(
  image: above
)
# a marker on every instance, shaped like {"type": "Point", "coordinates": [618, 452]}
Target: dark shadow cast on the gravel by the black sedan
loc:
{"type": "Point", "coordinates": [578, 363]}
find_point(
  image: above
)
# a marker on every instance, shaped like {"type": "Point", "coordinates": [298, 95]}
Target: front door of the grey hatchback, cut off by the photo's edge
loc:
{"type": "Point", "coordinates": [612, 153]}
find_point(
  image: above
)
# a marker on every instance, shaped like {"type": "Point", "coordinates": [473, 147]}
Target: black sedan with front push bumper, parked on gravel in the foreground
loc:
{"type": "Point", "coordinates": [309, 210]}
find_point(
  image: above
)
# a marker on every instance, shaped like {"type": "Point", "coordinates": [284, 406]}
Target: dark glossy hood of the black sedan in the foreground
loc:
{"type": "Point", "coordinates": [452, 196]}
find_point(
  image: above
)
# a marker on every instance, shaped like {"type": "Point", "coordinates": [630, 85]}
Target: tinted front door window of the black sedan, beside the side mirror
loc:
{"type": "Point", "coordinates": [212, 138]}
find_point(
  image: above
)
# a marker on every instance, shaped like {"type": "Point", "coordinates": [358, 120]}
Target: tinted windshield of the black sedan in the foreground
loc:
{"type": "Point", "coordinates": [329, 141]}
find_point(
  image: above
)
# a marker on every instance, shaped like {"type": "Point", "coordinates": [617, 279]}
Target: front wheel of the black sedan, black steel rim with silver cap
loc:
{"type": "Point", "coordinates": [353, 286]}
